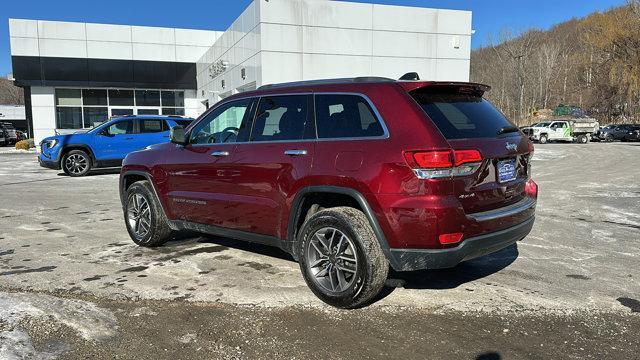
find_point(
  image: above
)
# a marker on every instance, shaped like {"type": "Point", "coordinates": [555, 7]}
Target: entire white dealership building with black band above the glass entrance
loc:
{"type": "Point", "coordinates": [78, 74]}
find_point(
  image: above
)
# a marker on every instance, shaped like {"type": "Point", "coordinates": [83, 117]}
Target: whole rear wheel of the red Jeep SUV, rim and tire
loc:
{"type": "Point", "coordinates": [341, 259]}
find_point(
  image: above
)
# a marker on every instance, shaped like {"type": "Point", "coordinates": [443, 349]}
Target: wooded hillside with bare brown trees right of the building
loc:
{"type": "Point", "coordinates": [593, 63]}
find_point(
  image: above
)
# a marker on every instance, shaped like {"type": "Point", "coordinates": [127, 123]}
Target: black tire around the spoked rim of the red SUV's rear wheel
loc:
{"type": "Point", "coordinates": [371, 267]}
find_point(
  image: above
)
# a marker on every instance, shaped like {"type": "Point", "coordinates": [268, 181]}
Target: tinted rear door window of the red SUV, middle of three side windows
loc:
{"type": "Point", "coordinates": [280, 118]}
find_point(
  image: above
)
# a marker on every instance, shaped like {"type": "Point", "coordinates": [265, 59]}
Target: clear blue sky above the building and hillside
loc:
{"type": "Point", "coordinates": [489, 16]}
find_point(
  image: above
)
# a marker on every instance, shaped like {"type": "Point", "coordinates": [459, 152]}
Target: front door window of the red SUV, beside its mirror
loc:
{"type": "Point", "coordinates": [222, 125]}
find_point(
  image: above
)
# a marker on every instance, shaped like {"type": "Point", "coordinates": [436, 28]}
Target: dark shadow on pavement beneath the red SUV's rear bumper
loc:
{"type": "Point", "coordinates": [463, 273]}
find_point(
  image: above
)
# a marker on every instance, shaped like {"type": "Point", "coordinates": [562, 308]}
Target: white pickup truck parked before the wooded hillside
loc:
{"type": "Point", "coordinates": [574, 130]}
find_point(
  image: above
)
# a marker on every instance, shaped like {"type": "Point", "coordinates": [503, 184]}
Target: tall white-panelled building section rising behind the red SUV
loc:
{"type": "Point", "coordinates": [292, 40]}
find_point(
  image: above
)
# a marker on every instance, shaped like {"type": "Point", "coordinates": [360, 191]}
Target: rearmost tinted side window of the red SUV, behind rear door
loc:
{"type": "Point", "coordinates": [343, 116]}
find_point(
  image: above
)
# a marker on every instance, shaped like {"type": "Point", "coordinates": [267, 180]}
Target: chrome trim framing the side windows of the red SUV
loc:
{"type": "Point", "coordinates": [385, 135]}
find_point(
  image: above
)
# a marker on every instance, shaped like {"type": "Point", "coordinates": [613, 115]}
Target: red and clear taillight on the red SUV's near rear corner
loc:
{"type": "Point", "coordinates": [439, 164]}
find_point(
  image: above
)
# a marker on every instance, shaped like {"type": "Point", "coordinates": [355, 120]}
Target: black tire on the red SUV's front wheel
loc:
{"type": "Point", "coordinates": [158, 230]}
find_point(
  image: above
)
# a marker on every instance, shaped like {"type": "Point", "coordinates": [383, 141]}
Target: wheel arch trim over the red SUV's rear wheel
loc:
{"type": "Point", "coordinates": [300, 202]}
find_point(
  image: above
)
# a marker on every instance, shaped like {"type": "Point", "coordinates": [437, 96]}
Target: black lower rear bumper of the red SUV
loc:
{"type": "Point", "coordinates": [421, 259]}
